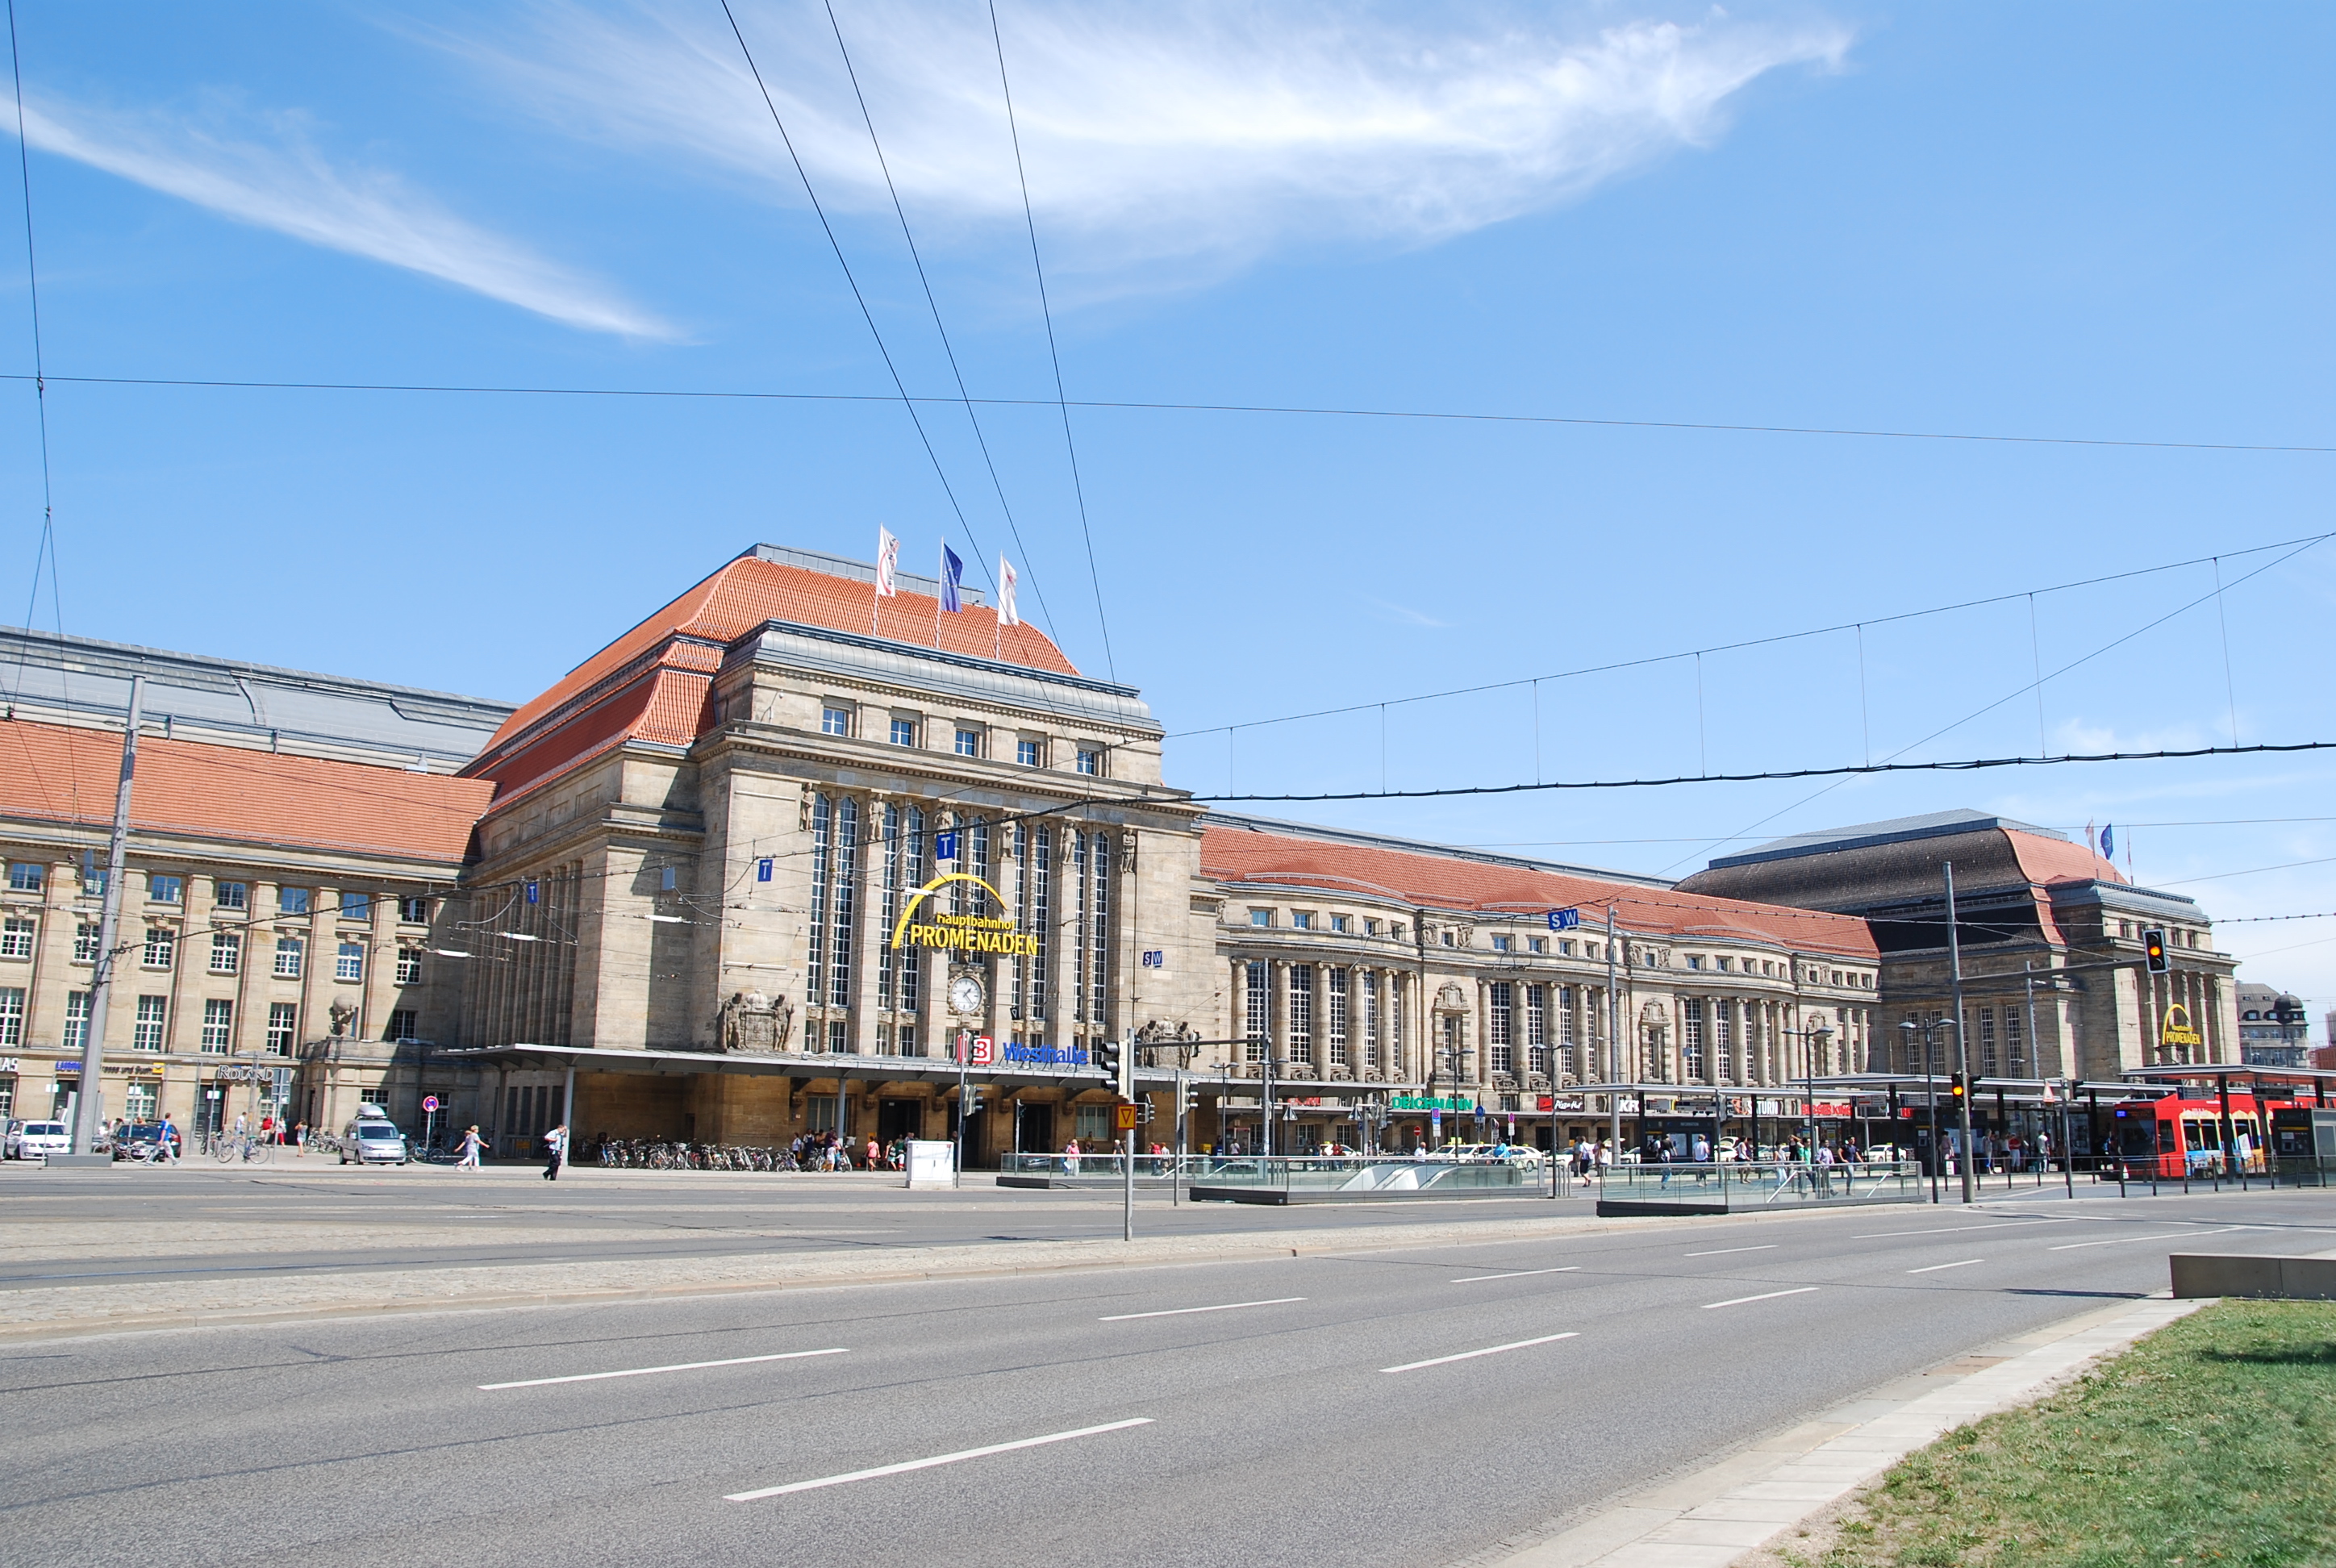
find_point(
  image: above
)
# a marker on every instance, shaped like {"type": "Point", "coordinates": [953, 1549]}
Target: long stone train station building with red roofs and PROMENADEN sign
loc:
{"type": "Point", "coordinates": [791, 856]}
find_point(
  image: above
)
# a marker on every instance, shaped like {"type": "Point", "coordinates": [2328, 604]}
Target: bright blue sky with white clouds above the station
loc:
{"type": "Point", "coordinates": [2071, 221]}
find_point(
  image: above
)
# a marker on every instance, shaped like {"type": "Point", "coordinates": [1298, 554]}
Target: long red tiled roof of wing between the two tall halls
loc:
{"type": "Point", "coordinates": [1449, 882]}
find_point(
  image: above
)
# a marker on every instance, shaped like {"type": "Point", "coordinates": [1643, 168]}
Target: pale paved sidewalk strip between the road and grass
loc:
{"type": "Point", "coordinates": [1732, 1508]}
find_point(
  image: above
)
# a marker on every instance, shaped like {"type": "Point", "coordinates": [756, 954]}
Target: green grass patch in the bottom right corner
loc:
{"type": "Point", "coordinates": [2209, 1443]}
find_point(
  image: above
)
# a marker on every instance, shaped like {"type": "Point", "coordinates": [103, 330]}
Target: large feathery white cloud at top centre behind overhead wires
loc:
{"type": "Point", "coordinates": [1195, 134]}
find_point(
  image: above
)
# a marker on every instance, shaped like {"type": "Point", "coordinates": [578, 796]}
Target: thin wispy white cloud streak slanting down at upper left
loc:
{"type": "Point", "coordinates": [284, 183]}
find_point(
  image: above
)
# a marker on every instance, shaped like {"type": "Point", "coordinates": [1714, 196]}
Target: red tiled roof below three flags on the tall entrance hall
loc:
{"type": "Point", "coordinates": [672, 653]}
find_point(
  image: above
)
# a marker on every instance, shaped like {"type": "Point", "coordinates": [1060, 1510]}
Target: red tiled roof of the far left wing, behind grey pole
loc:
{"type": "Point", "coordinates": [62, 775]}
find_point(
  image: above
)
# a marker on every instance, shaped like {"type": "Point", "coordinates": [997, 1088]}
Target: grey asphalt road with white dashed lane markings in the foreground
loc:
{"type": "Point", "coordinates": [1372, 1408]}
